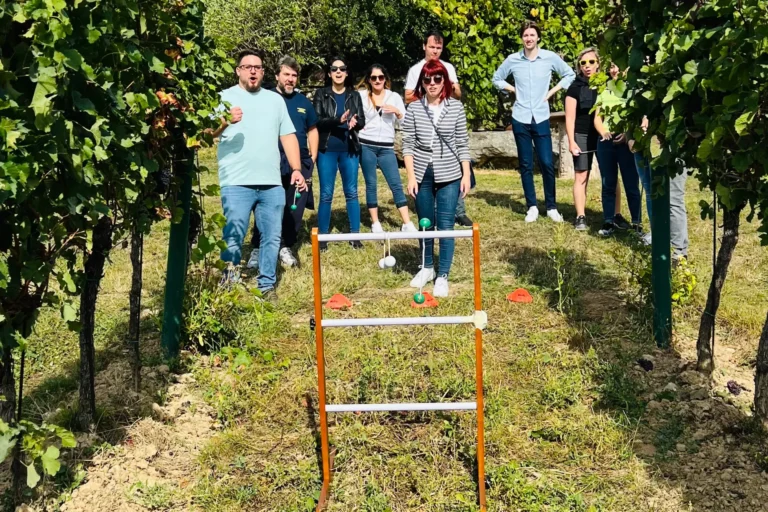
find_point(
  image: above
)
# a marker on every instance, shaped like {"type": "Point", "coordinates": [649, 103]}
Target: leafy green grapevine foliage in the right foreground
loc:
{"type": "Point", "coordinates": [699, 71]}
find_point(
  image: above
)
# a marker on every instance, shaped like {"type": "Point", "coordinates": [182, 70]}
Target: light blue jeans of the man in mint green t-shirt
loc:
{"type": "Point", "coordinates": [268, 202]}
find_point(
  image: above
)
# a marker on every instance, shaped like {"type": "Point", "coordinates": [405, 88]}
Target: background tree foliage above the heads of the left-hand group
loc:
{"type": "Point", "coordinates": [363, 31]}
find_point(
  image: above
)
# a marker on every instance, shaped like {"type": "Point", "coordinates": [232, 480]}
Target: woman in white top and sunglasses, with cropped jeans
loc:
{"type": "Point", "coordinates": [383, 110]}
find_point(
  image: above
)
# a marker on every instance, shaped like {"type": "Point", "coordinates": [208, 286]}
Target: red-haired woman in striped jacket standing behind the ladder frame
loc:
{"type": "Point", "coordinates": [436, 155]}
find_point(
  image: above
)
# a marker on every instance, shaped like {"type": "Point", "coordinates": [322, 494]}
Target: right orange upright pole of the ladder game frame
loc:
{"type": "Point", "coordinates": [479, 370]}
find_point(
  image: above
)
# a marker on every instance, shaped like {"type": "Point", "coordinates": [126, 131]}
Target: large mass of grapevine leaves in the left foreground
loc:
{"type": "Point", "coordinates": [94, 96]}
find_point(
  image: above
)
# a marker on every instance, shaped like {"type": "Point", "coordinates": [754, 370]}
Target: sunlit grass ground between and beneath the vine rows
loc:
{"type": "Point", "coordinates": [570, 420]}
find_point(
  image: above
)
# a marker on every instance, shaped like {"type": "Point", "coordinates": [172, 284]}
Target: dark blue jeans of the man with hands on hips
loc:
{"type": "Point", "coordinates": [539, 137]}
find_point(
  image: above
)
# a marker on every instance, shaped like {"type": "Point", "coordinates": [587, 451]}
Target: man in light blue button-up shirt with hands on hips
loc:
{"type": "Point", "coordinates": [532, 69]}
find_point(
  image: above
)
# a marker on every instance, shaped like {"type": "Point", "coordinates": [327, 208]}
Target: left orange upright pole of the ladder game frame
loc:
{"type": "Point", "coordinates": [320, 371]}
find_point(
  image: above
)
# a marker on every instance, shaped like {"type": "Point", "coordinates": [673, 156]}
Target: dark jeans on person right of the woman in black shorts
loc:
{"type": "Point", "coordinates": [612, 157]}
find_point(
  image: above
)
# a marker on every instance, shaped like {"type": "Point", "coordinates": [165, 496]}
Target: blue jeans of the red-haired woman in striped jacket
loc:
{"type": "Point", "coordinates": [437, 202]}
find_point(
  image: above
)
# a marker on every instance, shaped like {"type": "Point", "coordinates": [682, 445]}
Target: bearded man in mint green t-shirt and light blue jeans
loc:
{"type": "Point", "coordinates": [249, 167]}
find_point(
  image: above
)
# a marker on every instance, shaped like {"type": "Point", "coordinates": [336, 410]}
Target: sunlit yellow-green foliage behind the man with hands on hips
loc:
{"type": "Point", "coordinates": [483, 33]}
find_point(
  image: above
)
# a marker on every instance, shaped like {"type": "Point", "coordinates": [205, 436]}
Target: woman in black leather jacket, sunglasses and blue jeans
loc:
{"type": "Point", "coordinates": [340, 117]}
